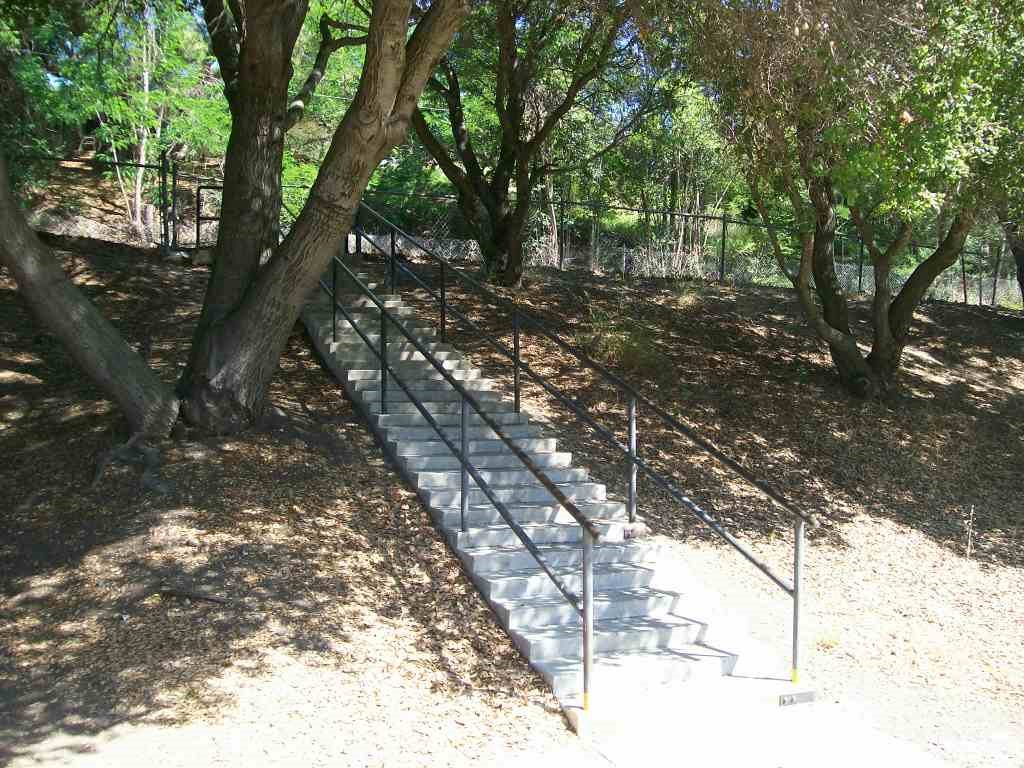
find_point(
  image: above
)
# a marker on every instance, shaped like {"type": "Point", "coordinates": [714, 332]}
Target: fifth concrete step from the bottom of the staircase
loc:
{"type": "Point", "coordinates": [516, 558]}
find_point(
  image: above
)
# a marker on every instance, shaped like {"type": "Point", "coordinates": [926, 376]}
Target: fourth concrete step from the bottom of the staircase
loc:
{"type": "Point", "coordinates": [521, 585]}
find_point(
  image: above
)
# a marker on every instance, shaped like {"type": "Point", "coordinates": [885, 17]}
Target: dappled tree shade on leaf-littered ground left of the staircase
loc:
{"type": "Point", "coordinates": [121, 607]}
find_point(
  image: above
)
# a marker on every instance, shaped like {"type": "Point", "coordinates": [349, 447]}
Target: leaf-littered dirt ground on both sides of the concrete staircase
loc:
{"type": "Point", "coordinates": [290, 590]}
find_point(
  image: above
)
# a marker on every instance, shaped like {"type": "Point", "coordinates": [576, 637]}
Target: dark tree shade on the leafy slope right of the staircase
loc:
{"type": "Point", "coordinates": [942, 454]}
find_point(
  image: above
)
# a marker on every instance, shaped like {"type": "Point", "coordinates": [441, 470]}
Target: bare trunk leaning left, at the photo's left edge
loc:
{"type": "Point", "coordinates": [93, 343]}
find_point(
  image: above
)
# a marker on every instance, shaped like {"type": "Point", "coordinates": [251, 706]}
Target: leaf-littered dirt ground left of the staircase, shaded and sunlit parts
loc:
{"type": "Point", "coordinates": [323, 607]}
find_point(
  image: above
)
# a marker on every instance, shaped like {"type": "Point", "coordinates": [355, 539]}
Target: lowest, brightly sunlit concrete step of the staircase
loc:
{"type": "Point", "coordinates": [627, 675]}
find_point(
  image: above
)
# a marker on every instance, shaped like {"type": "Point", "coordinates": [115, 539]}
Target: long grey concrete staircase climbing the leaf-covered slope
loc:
{"type": "Point", "coordinates": [641, 637]}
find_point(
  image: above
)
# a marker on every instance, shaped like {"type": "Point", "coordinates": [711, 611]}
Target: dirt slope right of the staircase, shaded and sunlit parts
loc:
{"type": "Point", "coordinates": [914, 577]}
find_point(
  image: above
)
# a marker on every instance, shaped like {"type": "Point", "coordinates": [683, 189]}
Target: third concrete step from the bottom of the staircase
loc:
{"type": "Point", "coordinates": [557, 612]}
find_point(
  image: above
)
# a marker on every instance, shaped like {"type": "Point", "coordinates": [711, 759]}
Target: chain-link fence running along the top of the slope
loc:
{"type": "Point", "coordinates": [635, 243]}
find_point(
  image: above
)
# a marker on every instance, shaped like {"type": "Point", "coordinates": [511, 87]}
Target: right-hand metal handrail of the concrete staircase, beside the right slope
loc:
{"type": "Point", "coordinates": [801, 520]}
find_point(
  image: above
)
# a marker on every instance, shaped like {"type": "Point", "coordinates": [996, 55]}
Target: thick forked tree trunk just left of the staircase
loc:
{"type": "Point", "coordinates": [262, 285]}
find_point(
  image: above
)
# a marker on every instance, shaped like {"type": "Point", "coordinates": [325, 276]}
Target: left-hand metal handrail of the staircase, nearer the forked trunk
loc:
{"type": "Point", "coordinates": [591, 534]}
